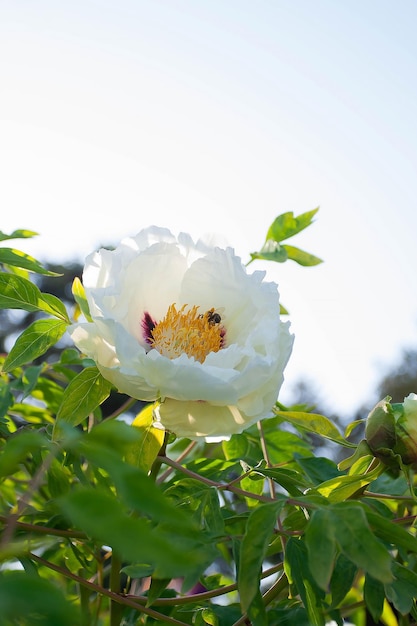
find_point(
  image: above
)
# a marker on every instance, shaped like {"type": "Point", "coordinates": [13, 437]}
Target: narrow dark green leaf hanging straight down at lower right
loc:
{"type": "Point", "coordinates": [321, 546]}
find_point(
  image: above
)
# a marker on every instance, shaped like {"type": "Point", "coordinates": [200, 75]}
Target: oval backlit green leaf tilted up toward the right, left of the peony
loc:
{"type": "Point", "coordinates": [34, 342]}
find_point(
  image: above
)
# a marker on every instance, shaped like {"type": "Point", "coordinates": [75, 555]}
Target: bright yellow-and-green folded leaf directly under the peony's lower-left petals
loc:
{"type": "Point", "coordinates": [144, 451]}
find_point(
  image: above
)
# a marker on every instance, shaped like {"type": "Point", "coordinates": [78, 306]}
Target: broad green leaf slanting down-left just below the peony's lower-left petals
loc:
{"type": "Point", "coordinates": [82, 396]}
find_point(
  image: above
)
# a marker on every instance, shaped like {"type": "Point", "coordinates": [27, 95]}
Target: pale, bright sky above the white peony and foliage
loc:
{"type": "Point", "coordinates": [216, 116]}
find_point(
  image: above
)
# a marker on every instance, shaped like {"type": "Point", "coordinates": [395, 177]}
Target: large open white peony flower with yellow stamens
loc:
{"type": "Point", "coordinates": [185, 323]}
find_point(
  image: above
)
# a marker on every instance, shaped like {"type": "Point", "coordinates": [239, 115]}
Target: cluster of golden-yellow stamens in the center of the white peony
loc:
{"type": "Point", "coordinates": [188, 331]}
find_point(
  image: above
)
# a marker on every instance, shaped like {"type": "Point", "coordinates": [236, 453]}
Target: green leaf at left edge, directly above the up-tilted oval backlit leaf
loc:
{"type": "Point", "coordinates": [17, 292]}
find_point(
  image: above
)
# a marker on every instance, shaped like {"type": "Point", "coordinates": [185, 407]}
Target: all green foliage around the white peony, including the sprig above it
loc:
{"type": "Point", "coordinates": [105, 523]}
